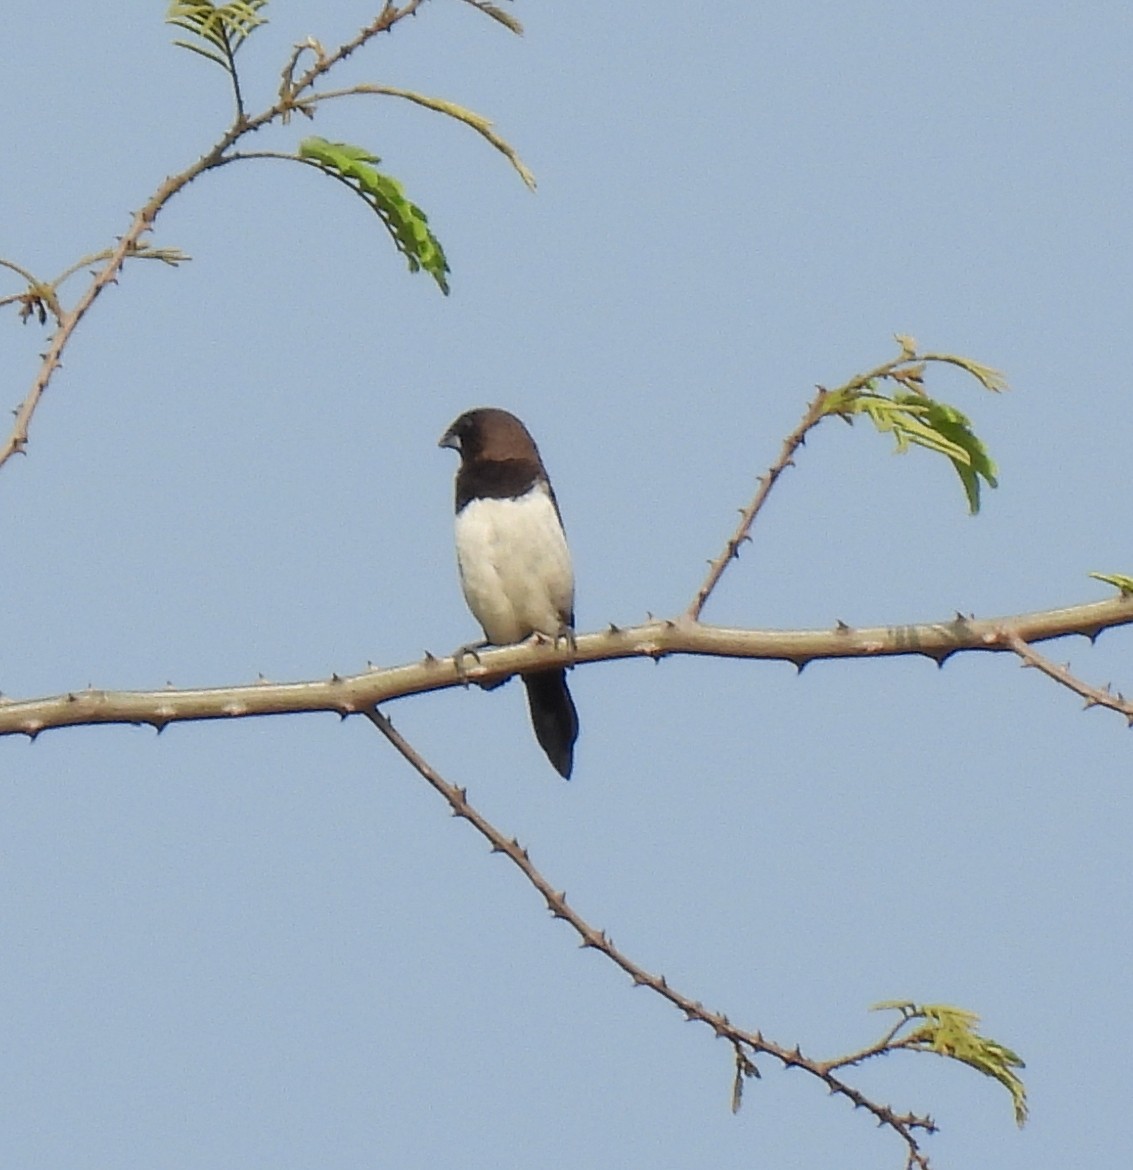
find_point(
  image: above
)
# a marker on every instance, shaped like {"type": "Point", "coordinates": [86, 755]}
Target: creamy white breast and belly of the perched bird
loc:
{"type": "Point", "coordinates": [516, 567]}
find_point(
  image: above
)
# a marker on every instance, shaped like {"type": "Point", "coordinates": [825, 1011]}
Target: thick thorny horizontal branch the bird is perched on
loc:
{"type": "Point", "coordinates": [656, 641]}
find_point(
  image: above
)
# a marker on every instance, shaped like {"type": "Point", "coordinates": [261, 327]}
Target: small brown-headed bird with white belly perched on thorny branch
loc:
{"type": "Point", "coordinates": [516, 567]}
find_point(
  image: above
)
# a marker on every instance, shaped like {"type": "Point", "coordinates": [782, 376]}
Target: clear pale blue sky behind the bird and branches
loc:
{"type": "Point", "coordinates": [266, 944]}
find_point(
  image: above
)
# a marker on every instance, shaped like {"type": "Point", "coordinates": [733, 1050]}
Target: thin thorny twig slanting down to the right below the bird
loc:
{"type": "Point", "coordinates": [907, 1126]}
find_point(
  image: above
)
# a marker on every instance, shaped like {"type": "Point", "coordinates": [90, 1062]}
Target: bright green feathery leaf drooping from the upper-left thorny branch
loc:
{"type": "Point", "coordinates": [404, 221]}
